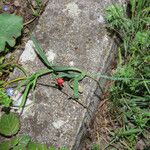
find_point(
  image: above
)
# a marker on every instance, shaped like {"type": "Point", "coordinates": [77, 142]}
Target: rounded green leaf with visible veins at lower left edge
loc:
{"type": "Point", "coordinates": [9, 124]}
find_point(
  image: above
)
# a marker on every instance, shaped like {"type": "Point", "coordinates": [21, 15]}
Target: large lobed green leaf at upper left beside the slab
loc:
{"type": "Point", "coordinates": [10, 28]}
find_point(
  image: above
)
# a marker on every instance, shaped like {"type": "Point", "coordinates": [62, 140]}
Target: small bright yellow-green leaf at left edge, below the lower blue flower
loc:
{"type": "Point", "coordinates": [4, 99]}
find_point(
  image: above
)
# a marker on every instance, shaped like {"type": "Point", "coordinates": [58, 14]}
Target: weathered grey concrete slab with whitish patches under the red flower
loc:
{"type": "Point", "coordinates": [72, 33]}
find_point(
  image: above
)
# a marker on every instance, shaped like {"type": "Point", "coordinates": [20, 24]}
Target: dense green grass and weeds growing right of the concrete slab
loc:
{"type": "Point", "coordinates": [131, 98]}
